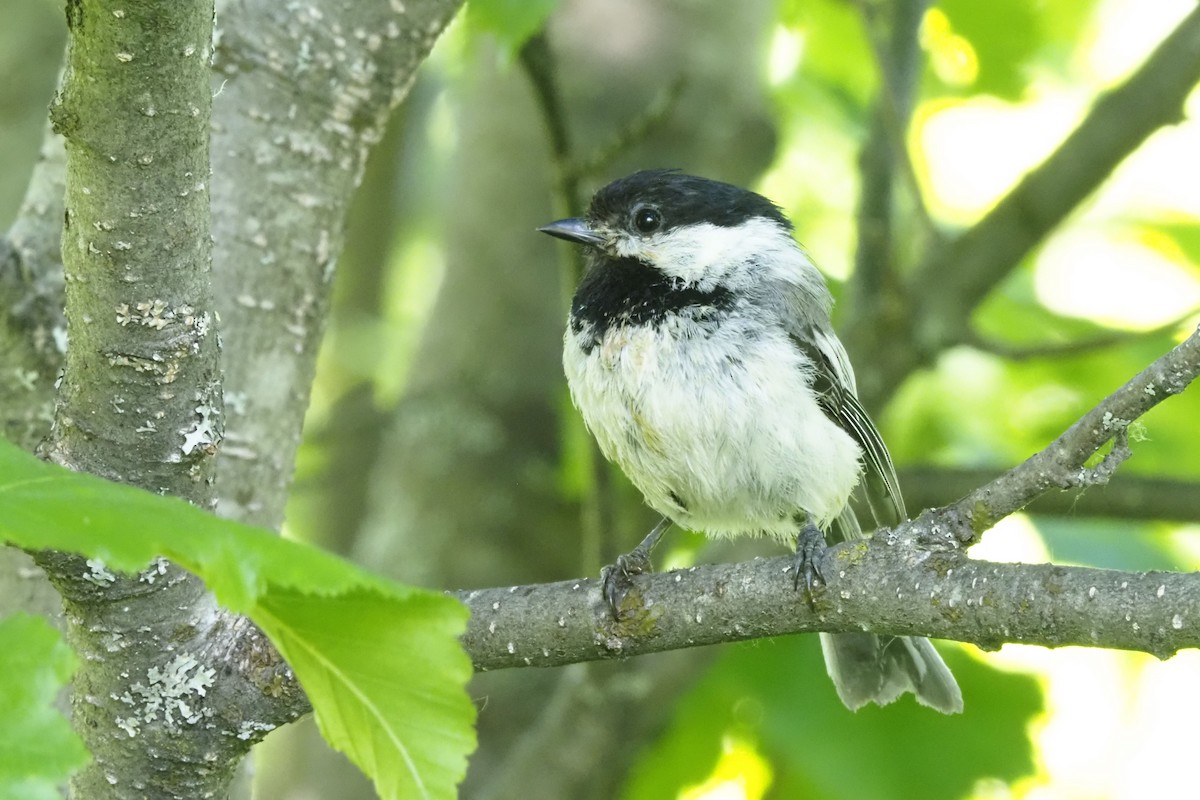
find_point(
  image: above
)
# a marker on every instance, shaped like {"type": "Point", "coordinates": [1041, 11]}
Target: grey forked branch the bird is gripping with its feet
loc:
{"type": "Point", "coordinates": [890, 585]}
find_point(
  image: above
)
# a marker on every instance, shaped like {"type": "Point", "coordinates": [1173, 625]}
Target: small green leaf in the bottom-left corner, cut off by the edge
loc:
{"type": "Point", "coordinates": [38, 748]}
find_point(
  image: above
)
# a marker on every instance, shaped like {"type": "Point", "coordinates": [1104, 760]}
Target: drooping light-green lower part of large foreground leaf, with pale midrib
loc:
{"type": "Point", "coordinates": [386, 689]}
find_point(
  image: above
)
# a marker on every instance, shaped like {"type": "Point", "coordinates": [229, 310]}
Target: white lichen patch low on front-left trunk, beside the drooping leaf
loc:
{"type": "Point", "coordinates": [170, 696]}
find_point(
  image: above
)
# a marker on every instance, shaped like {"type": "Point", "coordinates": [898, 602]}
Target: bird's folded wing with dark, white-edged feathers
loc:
{"type": "Point", "coordinates": [837, 394]}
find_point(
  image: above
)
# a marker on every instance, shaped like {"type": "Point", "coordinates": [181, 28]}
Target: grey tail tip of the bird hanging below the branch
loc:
{"type": "Point", "coordinates": [867, 669]}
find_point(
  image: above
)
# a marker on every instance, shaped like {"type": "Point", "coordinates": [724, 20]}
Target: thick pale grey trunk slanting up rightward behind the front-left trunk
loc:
{"type": "Point", "coordinates": [289, 148]}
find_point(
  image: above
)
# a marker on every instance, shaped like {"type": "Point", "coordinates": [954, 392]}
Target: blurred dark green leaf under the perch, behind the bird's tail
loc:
{"type": "Point", "coordinates": [775, 694]}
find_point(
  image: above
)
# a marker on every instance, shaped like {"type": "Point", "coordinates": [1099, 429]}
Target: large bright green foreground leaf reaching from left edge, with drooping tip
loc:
{"type": "Point", "coordinates": [380, 661]}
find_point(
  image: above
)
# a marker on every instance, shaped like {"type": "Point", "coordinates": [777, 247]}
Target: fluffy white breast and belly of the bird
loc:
{"type": "Point", "coordinates": [715, 423]}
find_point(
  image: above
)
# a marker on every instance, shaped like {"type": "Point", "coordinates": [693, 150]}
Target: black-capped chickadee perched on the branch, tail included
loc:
{"type": "Point", "coordinates": [701, 356]}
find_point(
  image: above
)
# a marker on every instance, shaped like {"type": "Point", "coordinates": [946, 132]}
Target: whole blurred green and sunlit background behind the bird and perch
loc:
{"type": "Point", "coordinates": [442, 450]}
